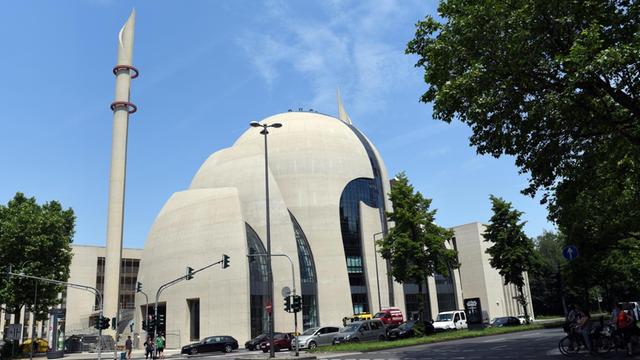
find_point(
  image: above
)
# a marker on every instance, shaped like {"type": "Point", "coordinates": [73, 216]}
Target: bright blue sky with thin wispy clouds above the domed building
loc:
{"type": "Point", "coordinates": [208, 68]}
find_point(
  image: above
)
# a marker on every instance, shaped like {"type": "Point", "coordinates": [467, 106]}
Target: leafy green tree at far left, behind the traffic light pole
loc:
{"type": "Point", "coordinates": [35, 240]}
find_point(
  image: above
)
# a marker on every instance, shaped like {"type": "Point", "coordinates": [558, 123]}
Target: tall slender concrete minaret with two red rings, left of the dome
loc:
{"type": "Point", "coordinates": [122, 107]}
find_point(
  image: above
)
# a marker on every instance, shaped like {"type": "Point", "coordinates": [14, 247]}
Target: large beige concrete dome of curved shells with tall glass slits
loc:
{"type": "Point", "coordinates": [327, 200]}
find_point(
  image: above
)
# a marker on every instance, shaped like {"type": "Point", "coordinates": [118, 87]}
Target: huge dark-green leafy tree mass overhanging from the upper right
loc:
{"type": "Point", "coordinates": [555, 84]}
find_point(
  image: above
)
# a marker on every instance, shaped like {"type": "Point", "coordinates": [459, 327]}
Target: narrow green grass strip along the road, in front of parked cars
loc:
{"type": "Point", "coordinates": [435, 338]}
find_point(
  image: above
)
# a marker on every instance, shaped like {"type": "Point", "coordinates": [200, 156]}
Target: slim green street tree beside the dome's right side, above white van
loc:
{"type": "Point", "coordinates": [415, 246]}
